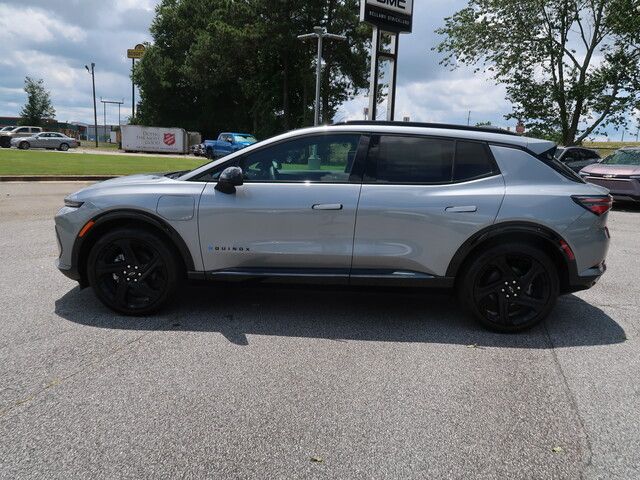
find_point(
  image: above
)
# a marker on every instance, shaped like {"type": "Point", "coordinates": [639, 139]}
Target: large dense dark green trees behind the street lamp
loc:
{"type": "Point", "coordinates": [219, 65]}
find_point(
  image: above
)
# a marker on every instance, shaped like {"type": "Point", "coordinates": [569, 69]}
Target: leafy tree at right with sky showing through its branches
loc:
{"type": "Point", "coordinates": [569, 66]}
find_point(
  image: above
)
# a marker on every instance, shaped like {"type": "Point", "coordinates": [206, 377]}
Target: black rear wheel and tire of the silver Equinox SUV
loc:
{"type": "Point", "coordinates": [510, 288]}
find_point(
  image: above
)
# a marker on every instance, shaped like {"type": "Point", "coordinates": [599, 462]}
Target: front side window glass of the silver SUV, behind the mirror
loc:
{"type": "Point", "coordinates": [325, 158]}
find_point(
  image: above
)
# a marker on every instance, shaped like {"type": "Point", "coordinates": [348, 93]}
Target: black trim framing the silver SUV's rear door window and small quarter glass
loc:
{"type": "Point", "coordinates": [370, 174]}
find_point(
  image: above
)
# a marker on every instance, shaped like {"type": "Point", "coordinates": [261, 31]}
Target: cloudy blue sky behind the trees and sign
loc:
{"type": "Point", "coordinates": [55, 39]}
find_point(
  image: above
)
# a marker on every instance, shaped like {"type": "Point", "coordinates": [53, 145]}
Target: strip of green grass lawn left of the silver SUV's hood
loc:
{"type": "Point", "coordinates": [37, 162]}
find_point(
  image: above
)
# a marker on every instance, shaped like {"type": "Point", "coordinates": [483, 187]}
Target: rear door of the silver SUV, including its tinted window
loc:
{"type": "Point", "coordinates": [421, 199]}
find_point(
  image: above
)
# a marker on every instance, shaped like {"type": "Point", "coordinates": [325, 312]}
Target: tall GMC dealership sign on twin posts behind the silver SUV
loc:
{"type": "Point", "coordinates": [389, 19]}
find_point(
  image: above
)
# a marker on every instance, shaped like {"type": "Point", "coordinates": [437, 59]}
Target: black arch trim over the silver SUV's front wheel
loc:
{"type": "Point", "coordinates": [119, 215]}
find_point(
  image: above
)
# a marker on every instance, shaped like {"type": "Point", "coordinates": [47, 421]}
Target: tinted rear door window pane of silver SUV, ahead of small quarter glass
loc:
{"type": "Point", "coordinates": [414, 160]}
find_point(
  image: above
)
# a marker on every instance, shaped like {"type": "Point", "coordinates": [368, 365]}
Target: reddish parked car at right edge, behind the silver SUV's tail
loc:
{"type": "Point", "coordinates": [619, 172]}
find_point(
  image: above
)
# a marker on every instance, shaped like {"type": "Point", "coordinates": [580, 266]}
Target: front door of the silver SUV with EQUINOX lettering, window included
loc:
{"type": "Point", "coordinates": [295, 213]}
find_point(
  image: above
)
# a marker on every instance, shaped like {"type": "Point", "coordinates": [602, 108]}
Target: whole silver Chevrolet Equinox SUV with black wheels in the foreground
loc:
{"type": "Point", "coordinates": [490, 214]}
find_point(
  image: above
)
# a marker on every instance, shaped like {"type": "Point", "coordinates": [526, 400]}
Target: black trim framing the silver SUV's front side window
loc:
{"type": "Point", "coordinates": [355, 175]}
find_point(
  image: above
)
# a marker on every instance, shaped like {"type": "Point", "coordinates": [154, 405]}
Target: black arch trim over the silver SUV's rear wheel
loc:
{"type": "Point", "coordinates": [505, 228]}
